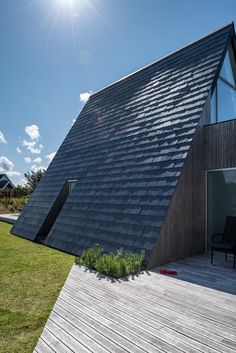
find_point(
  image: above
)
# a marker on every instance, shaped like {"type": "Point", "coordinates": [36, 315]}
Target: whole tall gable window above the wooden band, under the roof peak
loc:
{"type": "Point", "coordinates": [223, 101]}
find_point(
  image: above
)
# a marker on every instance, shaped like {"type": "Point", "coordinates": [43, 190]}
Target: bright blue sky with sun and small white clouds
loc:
{"type": "Point", "coordinates": [54, 51]}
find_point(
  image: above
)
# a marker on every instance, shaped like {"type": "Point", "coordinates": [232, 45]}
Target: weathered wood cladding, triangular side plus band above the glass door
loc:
{"type": "Point", "coordinates": [183, 232]}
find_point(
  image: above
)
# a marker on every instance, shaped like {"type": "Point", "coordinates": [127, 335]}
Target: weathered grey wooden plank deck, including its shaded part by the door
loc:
{"type": "Point", "coordinates": [193, 312]}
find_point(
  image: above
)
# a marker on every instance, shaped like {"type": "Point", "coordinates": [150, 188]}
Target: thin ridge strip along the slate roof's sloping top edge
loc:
{"type": "Point", "coordinates": [231, 24]}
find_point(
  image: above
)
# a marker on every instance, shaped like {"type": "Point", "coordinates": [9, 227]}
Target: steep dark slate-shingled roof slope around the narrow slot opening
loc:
{"type": "Point", "coordinates": [127, 149]}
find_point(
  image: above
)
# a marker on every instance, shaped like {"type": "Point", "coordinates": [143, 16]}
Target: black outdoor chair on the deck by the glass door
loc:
{"type": "Point", "coordinates": [225, 242]}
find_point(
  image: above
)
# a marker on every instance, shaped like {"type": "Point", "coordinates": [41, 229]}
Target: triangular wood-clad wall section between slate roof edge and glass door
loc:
{"type": "Point", "coordinates": [183, 232]}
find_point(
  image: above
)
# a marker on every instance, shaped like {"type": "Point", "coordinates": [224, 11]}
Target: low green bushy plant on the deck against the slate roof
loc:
{"type": "Point", "coordinates": [111, 264]}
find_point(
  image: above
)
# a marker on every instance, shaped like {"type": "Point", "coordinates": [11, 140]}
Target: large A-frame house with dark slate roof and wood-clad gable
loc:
{"type": "Point", "coordinates": [150, 163]}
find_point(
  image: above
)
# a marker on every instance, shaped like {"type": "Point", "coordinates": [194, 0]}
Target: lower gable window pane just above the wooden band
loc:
{"type": "Point", "coordinates": [226, 101]}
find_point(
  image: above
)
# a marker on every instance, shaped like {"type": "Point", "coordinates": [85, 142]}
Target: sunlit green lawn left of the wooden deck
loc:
{"type": "Point", "coordinates": [31, 276]}
